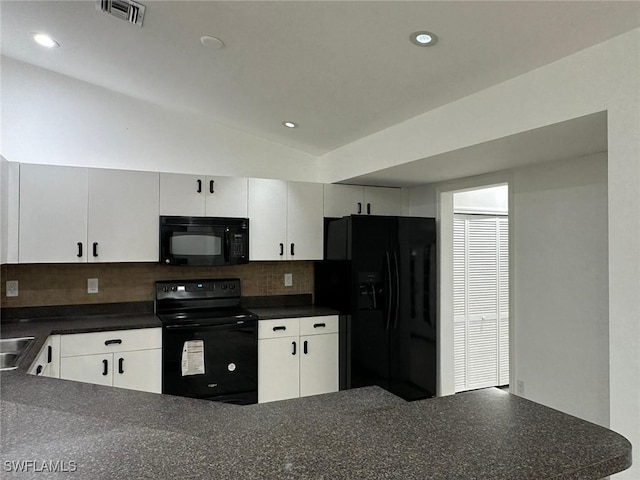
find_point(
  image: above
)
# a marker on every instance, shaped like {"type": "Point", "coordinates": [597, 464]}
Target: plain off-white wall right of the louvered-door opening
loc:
{"type": "Point", "coordinates": [560, 285]}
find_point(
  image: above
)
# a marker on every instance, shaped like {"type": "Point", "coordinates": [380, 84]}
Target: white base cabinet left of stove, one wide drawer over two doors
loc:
{"type": "Point", "coordinates": [121, 358]}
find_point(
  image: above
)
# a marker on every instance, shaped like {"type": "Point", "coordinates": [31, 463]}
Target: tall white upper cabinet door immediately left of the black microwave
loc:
{"type": "Point", "coordinates": [123, 216]}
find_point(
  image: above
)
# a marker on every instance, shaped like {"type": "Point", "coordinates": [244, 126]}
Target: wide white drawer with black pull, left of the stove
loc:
{"type": "Point", "coordinates": [110, 342]}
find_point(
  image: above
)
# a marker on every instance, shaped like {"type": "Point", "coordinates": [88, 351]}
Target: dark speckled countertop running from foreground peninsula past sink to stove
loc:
{"type": "Point", "coordinates": [101, 432]}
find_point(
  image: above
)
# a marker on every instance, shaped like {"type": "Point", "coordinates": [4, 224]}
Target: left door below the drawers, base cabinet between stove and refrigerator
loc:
{"type": "Point", "coordinates": [278, 369]}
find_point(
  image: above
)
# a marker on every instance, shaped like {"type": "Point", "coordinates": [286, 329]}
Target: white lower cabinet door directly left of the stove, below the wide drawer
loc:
{"type": "Point", "coordinates": [138, 370]}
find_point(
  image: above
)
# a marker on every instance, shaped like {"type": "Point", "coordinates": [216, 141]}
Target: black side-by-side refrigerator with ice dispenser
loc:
{"type": "Point", "coordinates": [380, 273]}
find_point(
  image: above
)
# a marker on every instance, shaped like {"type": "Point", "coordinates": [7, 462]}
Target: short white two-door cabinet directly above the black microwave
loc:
{"type": "Point", "coordinates": [198, 196]}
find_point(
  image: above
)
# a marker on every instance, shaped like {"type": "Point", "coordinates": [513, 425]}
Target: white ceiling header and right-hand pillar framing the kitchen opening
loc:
{"type": "Point", "coordinates": [605, 77]}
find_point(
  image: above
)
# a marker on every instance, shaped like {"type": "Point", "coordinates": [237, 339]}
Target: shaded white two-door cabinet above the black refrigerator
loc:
{"type": "Point", "coordinates": [342, 200]}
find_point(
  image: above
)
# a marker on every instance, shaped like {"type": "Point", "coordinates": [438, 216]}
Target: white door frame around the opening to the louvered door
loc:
{"type": "Point", "coordinates": [444, 225]}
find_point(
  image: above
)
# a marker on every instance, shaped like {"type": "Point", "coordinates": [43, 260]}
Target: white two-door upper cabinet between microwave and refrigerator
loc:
{"type": "Point", "coordinates": [285, 220]}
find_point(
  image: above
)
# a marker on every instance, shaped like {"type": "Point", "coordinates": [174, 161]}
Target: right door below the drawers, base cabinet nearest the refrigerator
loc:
{"type": "Point", "coordinates": [318, 364]}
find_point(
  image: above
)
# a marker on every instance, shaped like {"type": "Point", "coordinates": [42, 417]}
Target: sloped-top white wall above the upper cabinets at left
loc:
{"type": "Point", "coordinates": [53, 119]}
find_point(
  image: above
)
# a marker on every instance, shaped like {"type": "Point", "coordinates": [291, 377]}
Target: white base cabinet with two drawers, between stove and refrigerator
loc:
{"type": "Point", "coordinates": [297, 357]}
